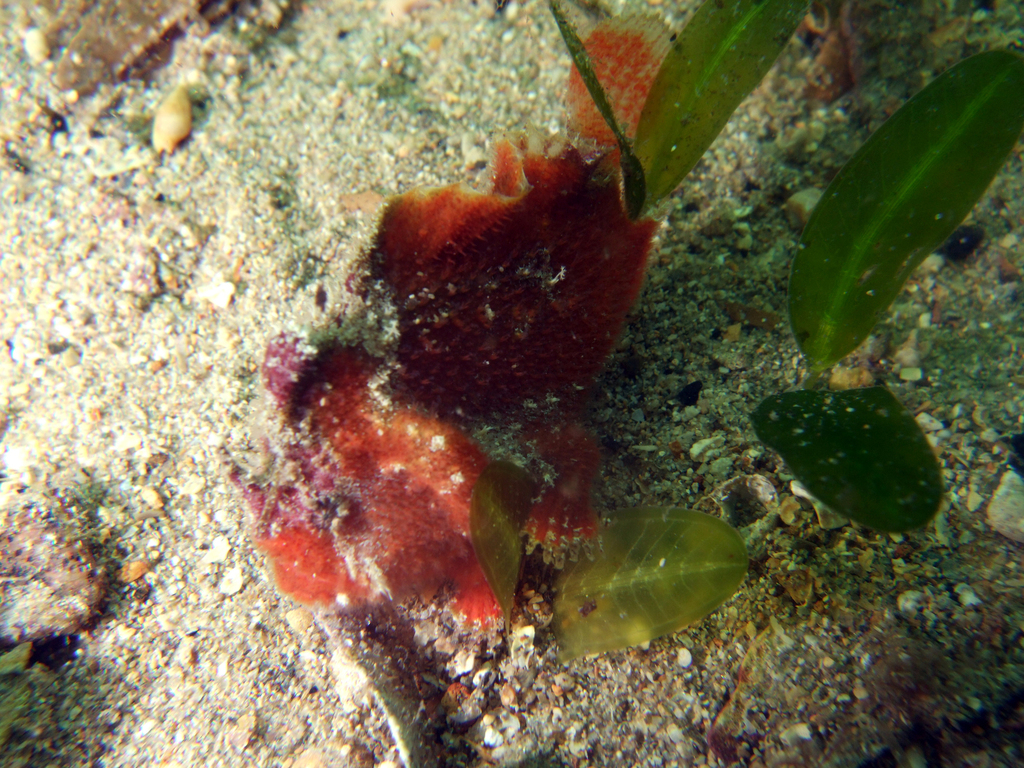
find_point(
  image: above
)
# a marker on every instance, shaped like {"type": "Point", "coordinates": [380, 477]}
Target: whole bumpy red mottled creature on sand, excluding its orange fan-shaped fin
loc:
{"type": "Point", "coordinates": [502, 298]}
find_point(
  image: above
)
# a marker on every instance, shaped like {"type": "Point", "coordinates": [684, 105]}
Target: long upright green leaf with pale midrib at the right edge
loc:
{"type": "Point", "coordinates": [899, 198]}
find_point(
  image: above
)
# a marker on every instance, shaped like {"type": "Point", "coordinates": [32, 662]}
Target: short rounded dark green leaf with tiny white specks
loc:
{"type": "Point", "coordinates": [859, 451]}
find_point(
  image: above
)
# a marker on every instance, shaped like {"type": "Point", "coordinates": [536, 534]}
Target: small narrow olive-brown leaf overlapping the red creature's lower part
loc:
{"type": "Point", "coordinates": [502, 499]}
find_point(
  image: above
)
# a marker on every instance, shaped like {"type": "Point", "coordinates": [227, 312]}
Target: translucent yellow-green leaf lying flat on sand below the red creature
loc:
{"type": "Point", "coordinates": [660, 570]}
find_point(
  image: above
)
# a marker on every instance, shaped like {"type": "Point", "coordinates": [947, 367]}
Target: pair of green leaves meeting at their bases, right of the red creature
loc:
{"type": "Point", "coordinates": [902, 195]}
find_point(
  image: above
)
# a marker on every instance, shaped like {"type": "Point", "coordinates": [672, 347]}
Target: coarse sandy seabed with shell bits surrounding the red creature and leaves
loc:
{"type": "Point", "coordinates": [138, 292]}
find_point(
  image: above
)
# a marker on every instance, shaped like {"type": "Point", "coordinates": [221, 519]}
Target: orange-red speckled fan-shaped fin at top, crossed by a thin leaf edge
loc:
{"type": "Point", "coordinates": [626, 54]}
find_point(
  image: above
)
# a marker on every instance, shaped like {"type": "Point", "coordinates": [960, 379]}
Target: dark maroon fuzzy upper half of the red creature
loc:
{"type": "Point", "coordinates": [504, 298]}
